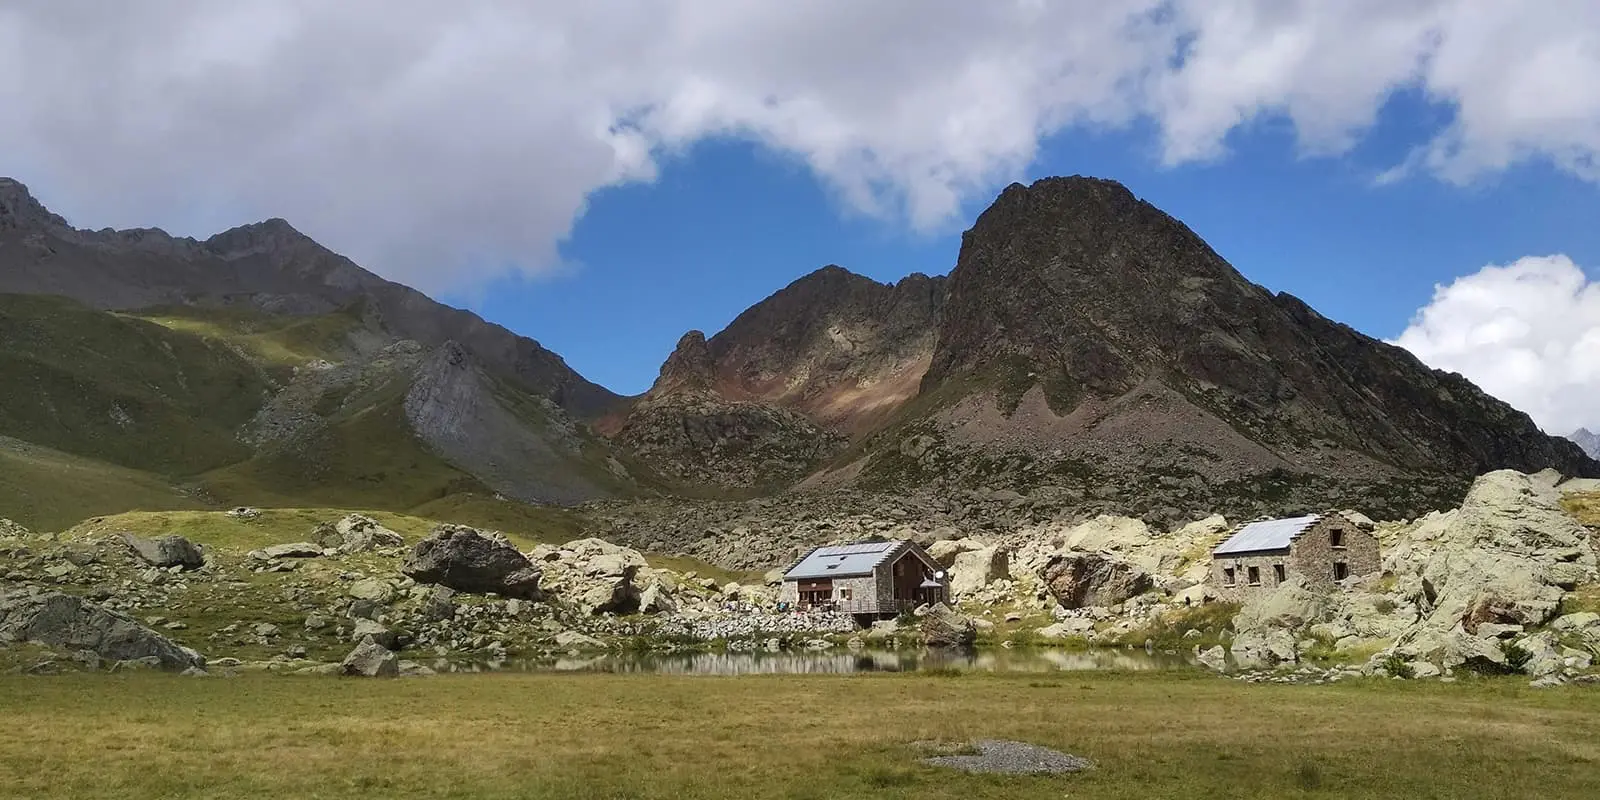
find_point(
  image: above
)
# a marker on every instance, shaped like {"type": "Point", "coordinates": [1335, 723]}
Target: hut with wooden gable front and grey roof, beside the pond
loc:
{"type": "Point", "coordinates": [866, 578]}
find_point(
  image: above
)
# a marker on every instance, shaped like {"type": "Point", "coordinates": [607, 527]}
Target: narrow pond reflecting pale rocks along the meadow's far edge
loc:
{"type": "Point", "coordinates": [846, 662]}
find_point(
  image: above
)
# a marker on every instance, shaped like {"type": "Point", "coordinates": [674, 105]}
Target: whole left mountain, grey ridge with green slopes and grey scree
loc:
{"type": "Point", "coordinates": [279, 372]}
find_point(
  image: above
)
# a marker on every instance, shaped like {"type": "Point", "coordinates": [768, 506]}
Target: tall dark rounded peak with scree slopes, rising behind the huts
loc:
{"type": "Point", "coordinates": [1090, 338]}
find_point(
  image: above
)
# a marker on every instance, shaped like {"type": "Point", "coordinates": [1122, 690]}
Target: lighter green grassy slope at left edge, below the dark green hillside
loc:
{"type": "Point", "coordinates": [50, 490]}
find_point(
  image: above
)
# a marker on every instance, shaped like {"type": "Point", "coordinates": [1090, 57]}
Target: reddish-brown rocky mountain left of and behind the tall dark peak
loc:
{"type": "Point", "coordinates": [788, 383]}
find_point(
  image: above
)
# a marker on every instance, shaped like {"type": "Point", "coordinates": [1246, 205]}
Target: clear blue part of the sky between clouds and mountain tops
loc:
{"type": "Point", "coordinates": [732, 222]}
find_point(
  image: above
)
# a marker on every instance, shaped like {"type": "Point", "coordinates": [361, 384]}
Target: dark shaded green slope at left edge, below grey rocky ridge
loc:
{"type": "Point", "coordinates": [121, 390]}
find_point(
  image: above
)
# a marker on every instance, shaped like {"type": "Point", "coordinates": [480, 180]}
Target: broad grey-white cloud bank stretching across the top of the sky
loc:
{"type": "Point", "coordinates": [441, 143]}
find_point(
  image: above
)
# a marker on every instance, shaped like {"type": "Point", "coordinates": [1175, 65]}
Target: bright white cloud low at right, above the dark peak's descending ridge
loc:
{"type": "Point", "coordinates": [1527, 334]}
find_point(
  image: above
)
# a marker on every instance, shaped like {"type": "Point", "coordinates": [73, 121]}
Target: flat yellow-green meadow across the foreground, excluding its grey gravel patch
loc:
{"type": "Point", "coordinates": [799, 737]}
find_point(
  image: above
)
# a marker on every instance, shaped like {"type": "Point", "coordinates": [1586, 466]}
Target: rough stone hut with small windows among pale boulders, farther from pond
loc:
{"type": "Point", "coordinates": [1321, 551]}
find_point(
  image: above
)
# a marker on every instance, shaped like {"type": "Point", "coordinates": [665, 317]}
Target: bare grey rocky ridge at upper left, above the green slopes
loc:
{"type": "Point", "coordinates": [266, 266]}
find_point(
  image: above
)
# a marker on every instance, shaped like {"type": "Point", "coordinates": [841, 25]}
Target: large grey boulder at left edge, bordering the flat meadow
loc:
{"type": "Point", "coordinates": [73, 623]}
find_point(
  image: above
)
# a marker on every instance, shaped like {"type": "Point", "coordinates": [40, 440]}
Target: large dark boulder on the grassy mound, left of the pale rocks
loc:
{"type": "Point", "coordinates": [470, 561]}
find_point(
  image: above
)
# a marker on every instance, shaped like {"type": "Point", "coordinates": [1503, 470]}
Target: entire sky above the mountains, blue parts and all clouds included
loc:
{"type": "Point", "coordinates": [604, 177]}
